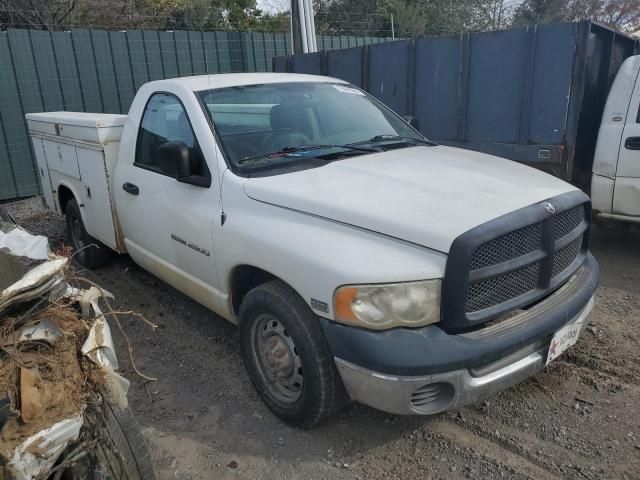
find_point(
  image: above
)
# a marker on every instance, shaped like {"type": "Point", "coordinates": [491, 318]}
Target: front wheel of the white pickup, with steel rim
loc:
{"type": "Point", "coordinates": [287, 357]}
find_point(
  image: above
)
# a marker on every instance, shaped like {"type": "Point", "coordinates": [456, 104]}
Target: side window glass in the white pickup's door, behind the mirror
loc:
{"type": "Point", "coordinates": [165, 120]}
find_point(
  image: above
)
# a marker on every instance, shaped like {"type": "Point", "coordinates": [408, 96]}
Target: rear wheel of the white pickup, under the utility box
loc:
{"type": "Point", "coordinates": [87, 250]}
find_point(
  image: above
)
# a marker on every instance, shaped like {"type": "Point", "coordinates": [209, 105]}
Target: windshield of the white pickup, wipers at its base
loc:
{"type": "Point", "coordinates": [273, 126]}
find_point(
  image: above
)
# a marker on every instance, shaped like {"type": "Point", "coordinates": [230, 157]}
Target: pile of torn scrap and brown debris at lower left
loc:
{"type": "Point", "coordinates": [57, 360]}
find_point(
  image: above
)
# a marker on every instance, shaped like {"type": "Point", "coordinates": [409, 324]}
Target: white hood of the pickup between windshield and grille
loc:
{"type": "Point", "coordinates": [424, 195]}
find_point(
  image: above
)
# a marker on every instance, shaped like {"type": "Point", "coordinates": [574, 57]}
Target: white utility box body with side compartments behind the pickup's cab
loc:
{"type": "Point", "coordinates": [78, 151]}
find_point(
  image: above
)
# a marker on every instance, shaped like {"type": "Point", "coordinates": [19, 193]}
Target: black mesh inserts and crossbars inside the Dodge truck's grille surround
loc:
{"type": "Point", "coordinates": [515, 277]}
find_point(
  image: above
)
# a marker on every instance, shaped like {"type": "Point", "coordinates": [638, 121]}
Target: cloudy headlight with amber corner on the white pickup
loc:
{"type": "Point", "coordinates": [411, 304]}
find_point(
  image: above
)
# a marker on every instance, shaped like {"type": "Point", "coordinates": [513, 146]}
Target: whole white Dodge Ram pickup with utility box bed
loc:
{"type": "Point", "coordinates": [359, 259]}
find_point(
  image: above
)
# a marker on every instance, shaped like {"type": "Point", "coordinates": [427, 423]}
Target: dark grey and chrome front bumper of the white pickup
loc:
{"type": "Point", "coordinates": [435, 371]}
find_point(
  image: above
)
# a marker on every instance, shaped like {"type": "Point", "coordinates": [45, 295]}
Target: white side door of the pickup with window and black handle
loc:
{"type": "Point", "coordinates": [168, 224]}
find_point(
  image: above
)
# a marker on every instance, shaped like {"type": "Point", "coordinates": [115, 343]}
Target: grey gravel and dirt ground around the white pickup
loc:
{"type": "Point", "coordinates": [579, 418]}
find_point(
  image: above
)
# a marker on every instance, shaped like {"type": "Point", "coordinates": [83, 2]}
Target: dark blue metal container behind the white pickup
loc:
{"type": "Point", "coordinates": [534, 94]}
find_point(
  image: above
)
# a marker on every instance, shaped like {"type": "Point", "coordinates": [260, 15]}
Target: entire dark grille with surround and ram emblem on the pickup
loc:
{"type": "Point", "coordinates": [513, 261]}
